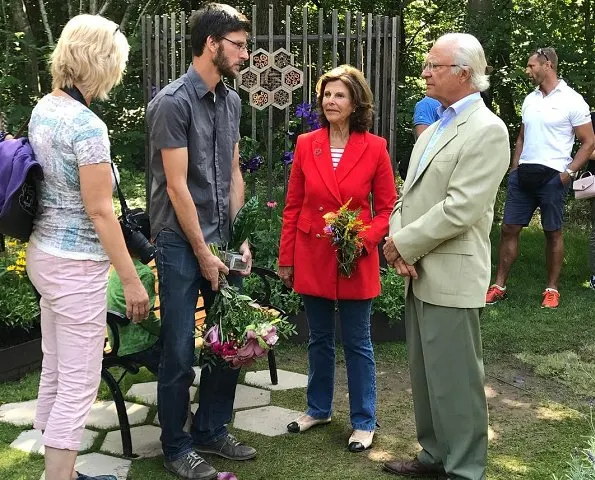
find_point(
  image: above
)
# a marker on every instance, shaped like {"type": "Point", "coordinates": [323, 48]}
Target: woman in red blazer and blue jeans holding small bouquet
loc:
{"type": "Point", "coordinates": [338, 162]}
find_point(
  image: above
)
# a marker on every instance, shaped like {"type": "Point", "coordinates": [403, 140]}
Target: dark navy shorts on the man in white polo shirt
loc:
{"type": "Point", "coordinates": [521, 203]}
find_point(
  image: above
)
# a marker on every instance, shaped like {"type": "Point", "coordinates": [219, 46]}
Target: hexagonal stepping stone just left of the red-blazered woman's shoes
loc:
{"type": "Point", "coordinates": [270, 421]}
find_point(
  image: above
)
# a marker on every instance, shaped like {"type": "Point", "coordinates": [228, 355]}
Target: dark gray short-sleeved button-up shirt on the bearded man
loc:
{"type": "Point", "coordinates": [184, 114]}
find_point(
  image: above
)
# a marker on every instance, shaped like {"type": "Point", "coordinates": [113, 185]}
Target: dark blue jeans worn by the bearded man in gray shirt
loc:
{"type": "Point", "coordinates": [180, 281]}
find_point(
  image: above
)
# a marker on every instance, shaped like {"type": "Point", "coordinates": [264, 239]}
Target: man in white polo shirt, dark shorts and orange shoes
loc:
{"type": "Point", "coordinates": [542, 169]}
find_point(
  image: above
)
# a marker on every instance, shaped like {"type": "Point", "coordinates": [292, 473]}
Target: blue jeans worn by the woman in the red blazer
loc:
{"type": "Point", "coordinates": [359, 357]}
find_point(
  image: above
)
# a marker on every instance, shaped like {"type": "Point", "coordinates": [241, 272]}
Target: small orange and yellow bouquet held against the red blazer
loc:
{"type": "Point", "coordinates": [343, 228]}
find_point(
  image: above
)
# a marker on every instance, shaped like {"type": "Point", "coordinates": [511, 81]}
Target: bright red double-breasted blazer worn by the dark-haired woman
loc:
{"type": "Point", "coordinates": [315, 189]}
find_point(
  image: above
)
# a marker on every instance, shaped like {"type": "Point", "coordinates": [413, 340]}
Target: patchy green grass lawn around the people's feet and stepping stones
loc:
{"type": "Point", "coordinates": [536, 419]}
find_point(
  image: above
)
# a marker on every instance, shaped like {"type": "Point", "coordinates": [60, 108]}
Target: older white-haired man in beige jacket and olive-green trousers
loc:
{"type": "Point", "coordinates": [439, 240]}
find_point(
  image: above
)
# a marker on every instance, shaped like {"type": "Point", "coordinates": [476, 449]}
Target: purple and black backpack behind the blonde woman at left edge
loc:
{"type": "Point", "coordinates": [19, 172]}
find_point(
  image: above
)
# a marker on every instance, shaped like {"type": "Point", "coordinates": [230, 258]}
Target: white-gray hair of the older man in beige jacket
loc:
{"type": "Point", "coordinates": [469, 53]}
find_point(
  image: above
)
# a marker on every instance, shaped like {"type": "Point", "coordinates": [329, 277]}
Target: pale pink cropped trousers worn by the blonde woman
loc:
{"type": "Point", "coordinates": [73, 313]}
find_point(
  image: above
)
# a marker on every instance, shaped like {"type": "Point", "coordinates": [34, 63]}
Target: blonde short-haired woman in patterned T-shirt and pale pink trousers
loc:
{"type": "Point", "coordinates": [76, 236]}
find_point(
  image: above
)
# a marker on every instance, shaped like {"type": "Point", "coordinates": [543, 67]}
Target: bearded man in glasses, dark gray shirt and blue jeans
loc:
{"type": "Point", "coordinates": [196, 192]}
